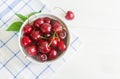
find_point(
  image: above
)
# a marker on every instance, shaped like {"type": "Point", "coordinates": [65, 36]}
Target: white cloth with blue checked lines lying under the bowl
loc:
{"type": "Point", "coordinates": [13, 65]}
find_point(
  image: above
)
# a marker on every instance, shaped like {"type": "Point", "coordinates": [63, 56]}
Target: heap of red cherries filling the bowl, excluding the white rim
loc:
{"type": "Point", "coordinates": [44, 39]}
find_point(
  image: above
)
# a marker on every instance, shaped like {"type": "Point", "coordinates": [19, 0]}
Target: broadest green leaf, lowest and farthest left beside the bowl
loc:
{"type": "Point", "coordinates": [15, 26]}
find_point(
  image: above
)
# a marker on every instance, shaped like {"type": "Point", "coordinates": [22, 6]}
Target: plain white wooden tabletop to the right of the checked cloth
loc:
{"type": "Point", "coordinates": [97, 23]}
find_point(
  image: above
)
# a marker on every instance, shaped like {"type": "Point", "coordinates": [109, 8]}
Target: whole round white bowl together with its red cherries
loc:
{"type": "Point", "coordinates": [44, 38]}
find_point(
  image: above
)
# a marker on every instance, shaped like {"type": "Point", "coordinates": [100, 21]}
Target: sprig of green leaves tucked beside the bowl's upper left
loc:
{"type": "Point", "coordinates": [15, 26]}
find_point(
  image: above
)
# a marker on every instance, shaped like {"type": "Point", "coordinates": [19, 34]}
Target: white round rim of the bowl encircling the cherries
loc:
{"type": "Point", "coordinates": [36, 16]}
